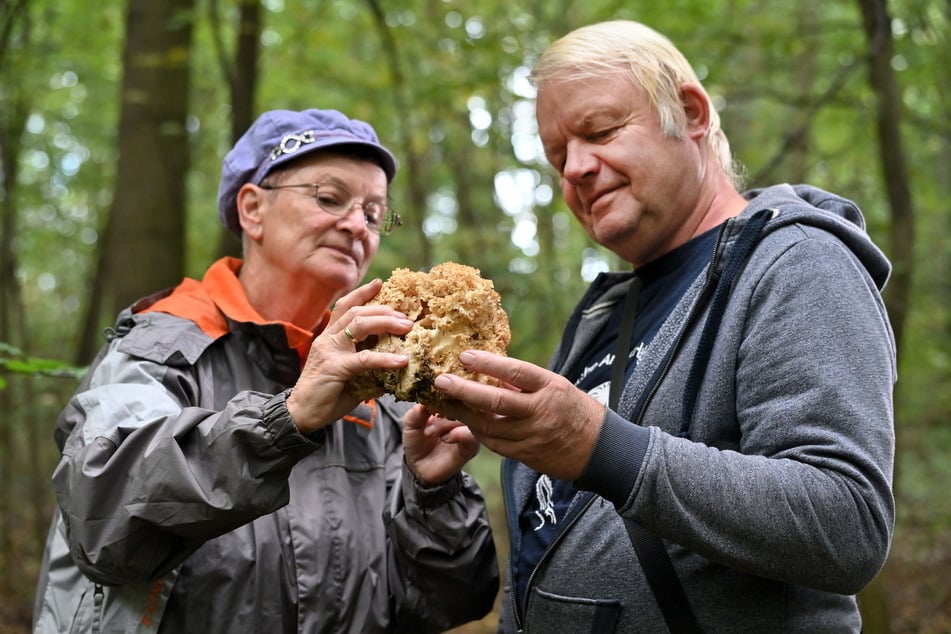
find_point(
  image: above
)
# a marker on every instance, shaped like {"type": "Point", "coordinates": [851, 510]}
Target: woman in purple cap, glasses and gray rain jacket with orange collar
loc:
{"type": "Point", "coordinates": [217, 477]}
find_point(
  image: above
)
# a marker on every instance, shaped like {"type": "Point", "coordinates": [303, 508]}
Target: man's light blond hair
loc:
{"type": "Point", "coordinates": [653, 63]}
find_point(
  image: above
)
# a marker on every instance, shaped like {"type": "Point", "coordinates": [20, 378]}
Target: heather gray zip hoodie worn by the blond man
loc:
{"type": "Point", "coordinates": [773, 494]}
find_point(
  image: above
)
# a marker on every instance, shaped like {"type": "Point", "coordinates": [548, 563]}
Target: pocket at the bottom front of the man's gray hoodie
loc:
{"type": "Point", "coordinates": [555, 613]}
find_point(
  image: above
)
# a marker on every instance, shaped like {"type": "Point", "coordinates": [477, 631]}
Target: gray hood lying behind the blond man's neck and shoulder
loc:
{"type": "Point", "coordinates": [805, 204]}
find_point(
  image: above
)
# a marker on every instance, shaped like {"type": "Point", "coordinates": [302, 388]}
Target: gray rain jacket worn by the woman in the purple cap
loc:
{"type": "Point", "coordinates": [190, 502]}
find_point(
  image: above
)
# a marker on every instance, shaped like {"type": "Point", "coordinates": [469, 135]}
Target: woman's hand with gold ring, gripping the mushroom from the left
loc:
{"type": "Point", "coordinates": [319, 397]}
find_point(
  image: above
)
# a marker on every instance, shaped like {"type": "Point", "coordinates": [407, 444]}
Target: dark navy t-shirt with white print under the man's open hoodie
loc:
{"type": "Point", "coordinates": [663, 283]}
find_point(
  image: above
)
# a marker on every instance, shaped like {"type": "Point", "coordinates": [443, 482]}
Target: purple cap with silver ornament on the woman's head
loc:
{"type": "Point", "coordinates": [279, 136]}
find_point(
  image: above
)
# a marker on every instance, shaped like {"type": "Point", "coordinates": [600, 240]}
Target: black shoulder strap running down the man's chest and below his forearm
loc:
{"type": "Point", "coordinates": [650, 550]}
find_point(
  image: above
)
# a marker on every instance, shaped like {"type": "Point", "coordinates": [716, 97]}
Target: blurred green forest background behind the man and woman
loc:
{"type": "Point", "coordinates": [114, 120]}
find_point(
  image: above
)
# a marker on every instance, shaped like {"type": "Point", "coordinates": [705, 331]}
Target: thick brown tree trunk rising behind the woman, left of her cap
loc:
{"type": "Point", "coordinates": [144, 243]}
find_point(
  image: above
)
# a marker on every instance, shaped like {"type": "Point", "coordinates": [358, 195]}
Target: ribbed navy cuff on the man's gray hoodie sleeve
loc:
{"type": "Point", "coordinates": [616, 459]}
